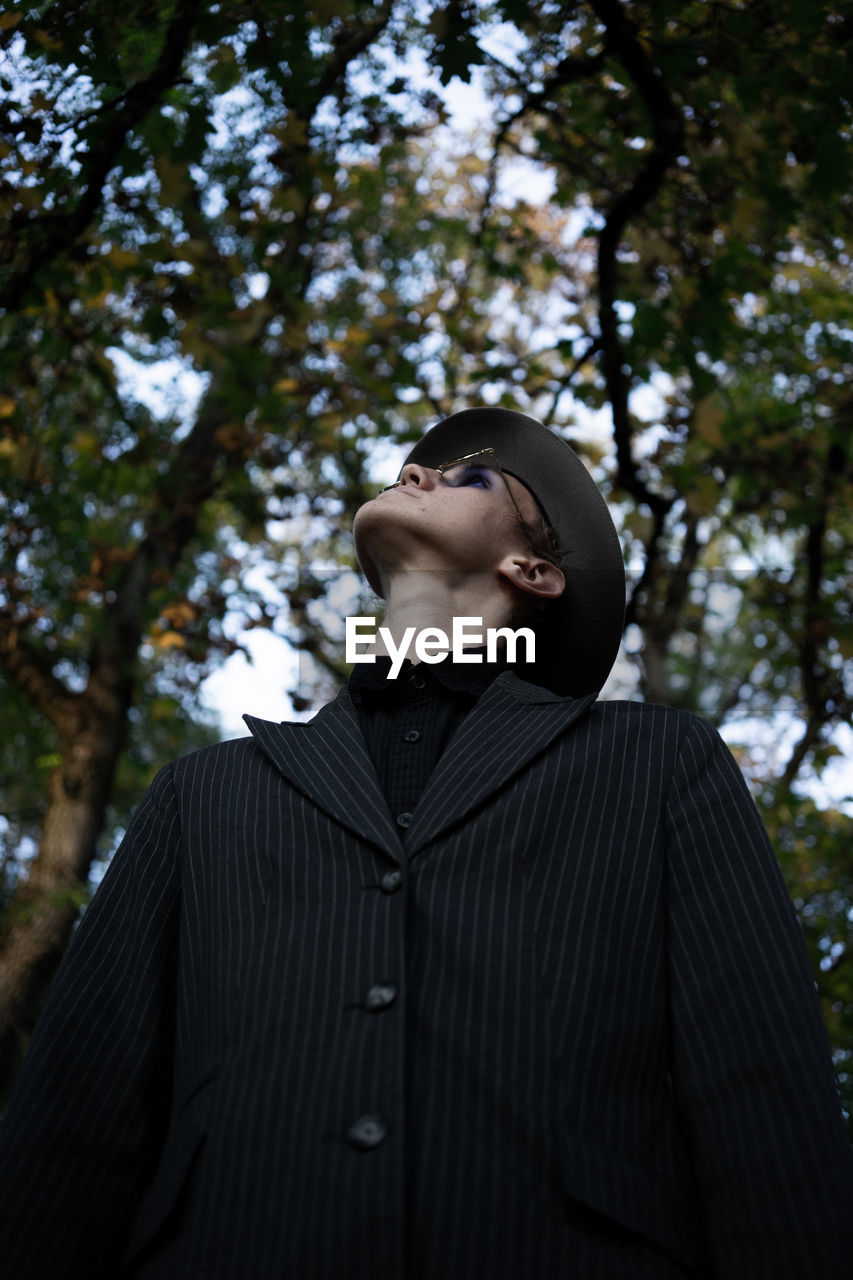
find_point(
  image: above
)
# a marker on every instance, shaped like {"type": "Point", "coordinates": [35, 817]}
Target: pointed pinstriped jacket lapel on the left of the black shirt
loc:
{"type": "Point", "coordinates": [327, 761]}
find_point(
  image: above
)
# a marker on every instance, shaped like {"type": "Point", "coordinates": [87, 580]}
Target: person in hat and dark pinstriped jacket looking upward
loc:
{"type": "Point", "coordinates": [473, 976]}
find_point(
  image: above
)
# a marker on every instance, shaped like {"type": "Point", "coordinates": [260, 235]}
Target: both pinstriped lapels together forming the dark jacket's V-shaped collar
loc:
{"type": "Point", "coordinates": [329, 761]}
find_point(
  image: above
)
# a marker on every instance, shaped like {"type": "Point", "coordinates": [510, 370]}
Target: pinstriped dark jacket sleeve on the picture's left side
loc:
{"type": "Point", "coordinates": [85, 1126]}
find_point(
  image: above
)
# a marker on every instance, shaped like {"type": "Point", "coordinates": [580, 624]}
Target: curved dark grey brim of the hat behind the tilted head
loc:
{"type": "Point", "coordinates": [578, 648]}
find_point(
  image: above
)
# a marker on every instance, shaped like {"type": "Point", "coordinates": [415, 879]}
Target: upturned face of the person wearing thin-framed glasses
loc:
{"type": "Point", "coordinates": [460, 523]}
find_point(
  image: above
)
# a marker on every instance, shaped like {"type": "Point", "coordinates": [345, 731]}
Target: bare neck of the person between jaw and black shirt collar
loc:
{"type": "Point", "coordinates": [421, 600]}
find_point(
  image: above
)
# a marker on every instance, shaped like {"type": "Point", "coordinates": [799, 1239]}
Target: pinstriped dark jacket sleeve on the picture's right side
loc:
{"type": "Point", "coordinates": [751, 1066]}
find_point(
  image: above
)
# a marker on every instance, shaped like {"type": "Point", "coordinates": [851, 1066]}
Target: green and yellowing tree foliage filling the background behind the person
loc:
{"type": "Point", "coordinates": [268, 199]}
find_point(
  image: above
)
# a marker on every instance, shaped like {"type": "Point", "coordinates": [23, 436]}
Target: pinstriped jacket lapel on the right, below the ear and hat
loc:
{"type": "Point", "coordinates": [512, 724]}
